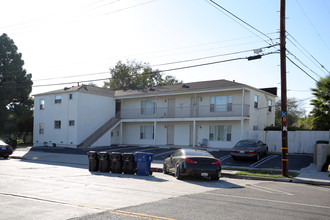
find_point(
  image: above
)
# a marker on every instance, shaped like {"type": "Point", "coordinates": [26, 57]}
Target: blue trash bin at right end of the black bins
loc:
{"type": "Point", "coordinates": [143, 162]}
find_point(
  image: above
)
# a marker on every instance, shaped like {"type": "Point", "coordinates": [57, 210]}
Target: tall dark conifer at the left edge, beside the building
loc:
{"type": "Point", "coordinates": [15, 87]}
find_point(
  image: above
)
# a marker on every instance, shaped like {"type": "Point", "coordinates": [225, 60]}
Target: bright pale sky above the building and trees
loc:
{"type": "Point", "coordinates": [79, 40]}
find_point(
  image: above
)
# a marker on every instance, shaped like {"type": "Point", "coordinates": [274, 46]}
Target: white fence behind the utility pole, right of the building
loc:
{"type": "Point", "coordinates": [298, 141]}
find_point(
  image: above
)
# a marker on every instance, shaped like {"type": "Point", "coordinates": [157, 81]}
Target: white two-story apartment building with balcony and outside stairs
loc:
{"type": "Point", "coordinates": [218, 112]}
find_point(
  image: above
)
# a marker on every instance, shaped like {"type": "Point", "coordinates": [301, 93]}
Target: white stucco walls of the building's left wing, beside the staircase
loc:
{"type": "Point", "coordinates": [87, 110]}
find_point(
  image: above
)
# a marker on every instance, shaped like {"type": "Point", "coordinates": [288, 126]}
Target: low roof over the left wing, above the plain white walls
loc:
{"type": "Point", "coordinates": [84, 88]}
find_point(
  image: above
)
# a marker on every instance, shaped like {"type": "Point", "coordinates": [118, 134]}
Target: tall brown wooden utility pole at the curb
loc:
{"type": "Point", "coordinates": [284, 126]}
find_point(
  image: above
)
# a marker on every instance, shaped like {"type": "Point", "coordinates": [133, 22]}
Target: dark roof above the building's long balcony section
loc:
{"type": "Point", "coordinates": [182, 88]}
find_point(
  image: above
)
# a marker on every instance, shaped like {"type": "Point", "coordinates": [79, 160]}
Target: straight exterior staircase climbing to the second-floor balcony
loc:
{"type": "Point", "coordinates": [89, 141]}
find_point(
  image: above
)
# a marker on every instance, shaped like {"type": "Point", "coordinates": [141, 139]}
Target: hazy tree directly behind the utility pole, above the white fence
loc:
{"type": "Point", "coordinates": [294, 112]}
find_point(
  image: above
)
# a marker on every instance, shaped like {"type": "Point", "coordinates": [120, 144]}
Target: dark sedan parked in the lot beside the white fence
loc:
{"type": "Point", "coordinates": [249, 149]}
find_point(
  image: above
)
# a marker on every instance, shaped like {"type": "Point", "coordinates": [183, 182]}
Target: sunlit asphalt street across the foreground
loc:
{"type": "Point", "coordinates": [38, 189]}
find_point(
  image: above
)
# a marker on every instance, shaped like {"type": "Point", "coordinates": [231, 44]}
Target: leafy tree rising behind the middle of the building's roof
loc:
{"type": "Point", "coordinates": [136, 75]}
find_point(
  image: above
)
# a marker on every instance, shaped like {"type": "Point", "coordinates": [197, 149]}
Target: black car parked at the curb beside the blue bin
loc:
{"type": "Point", "coordinates": [191, 162]}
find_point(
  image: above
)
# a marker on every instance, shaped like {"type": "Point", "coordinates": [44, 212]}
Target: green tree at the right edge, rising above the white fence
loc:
{"type": "Point", "coordinates": [321, 103]}
